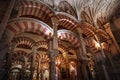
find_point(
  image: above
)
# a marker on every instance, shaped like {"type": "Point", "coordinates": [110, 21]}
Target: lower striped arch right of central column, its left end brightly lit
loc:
{"type": "Point", "coordinates": [69, 36]}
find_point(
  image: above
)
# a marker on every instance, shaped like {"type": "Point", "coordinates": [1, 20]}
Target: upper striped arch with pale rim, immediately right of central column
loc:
{"type": "Point", "coordinates": [66, 21]}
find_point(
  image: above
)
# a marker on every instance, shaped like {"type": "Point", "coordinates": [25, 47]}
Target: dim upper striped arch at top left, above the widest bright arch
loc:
{"type": "Point", "coordinates": [36, 8]}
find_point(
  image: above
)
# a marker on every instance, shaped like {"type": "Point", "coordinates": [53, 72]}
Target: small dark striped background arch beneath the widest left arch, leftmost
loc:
{"type": "Point", "coordinates": [24, 42]}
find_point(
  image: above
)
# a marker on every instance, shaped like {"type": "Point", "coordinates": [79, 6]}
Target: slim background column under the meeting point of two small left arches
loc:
{"type": "Point", "coordinates": [33, 62]}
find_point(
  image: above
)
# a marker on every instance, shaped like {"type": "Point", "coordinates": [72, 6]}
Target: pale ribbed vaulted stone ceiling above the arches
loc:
{"type": "Point", "coordinates": [92, 11]}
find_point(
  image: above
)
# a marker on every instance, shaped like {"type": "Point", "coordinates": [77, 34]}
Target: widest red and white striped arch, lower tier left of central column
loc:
{"type": "Point", "coordinates": [18, 25]}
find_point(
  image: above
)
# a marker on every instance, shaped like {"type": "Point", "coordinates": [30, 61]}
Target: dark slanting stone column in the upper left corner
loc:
{"type": "Point", "coordinates": [6, 17]}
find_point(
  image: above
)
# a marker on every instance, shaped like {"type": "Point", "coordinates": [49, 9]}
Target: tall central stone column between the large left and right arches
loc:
{"type": "Point", "coordinates": [54, 52]}
